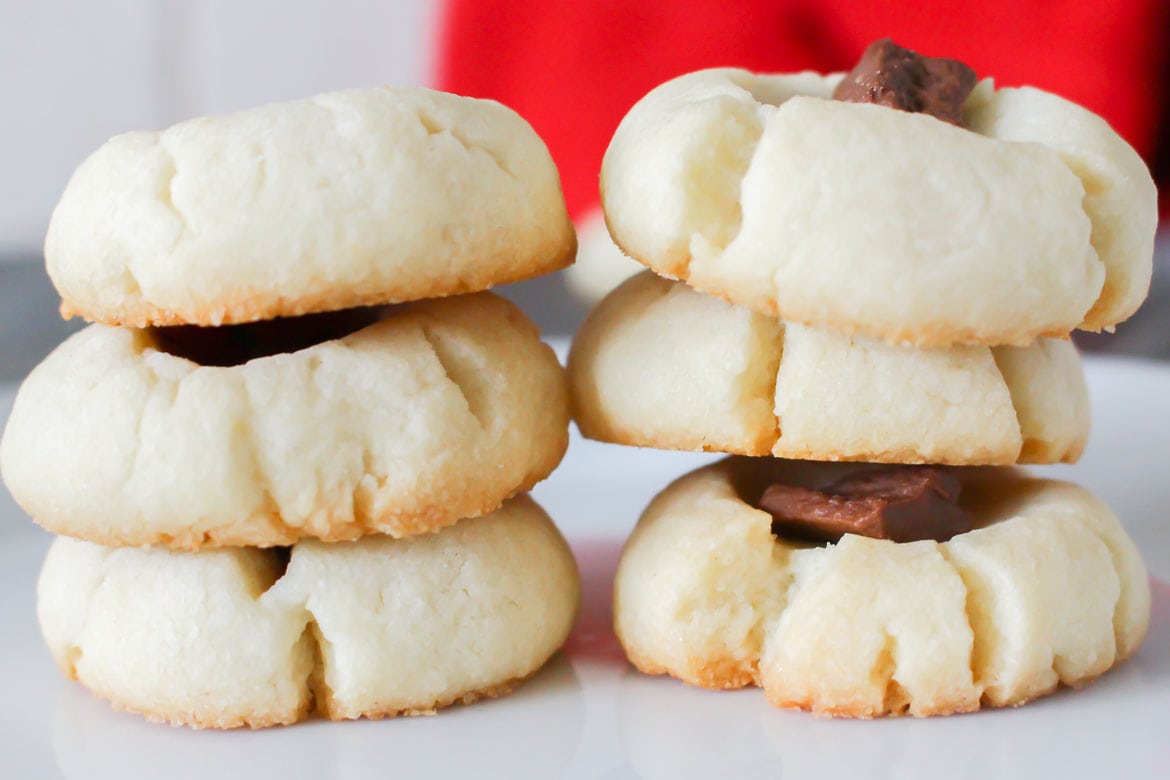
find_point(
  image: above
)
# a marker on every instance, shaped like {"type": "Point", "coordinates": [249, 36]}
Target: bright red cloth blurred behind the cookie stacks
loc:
{"type": "Point", "coordinates": [574, 68]}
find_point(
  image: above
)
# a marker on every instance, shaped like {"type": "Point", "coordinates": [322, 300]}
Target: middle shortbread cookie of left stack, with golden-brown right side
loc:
{"type": "Point", "coordinates": [438, 412]}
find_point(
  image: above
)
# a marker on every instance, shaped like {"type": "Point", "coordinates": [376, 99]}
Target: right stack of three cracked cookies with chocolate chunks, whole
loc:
{"type": "Point", "coordinates": [879, 273]}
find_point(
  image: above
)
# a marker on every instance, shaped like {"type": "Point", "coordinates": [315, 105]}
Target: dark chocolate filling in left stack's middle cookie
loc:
{"type": "Point", "coordinates": [233, 346]}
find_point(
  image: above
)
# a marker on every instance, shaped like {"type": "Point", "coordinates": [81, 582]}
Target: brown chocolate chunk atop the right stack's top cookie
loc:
{"type": "Point", "coordinates": [890, 75]}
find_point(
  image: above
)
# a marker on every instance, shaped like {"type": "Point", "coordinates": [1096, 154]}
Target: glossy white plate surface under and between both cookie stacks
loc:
{"type": "Point", "coordinates": [588, 715]}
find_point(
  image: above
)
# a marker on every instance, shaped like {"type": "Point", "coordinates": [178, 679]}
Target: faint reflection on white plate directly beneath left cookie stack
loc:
{"type": "Point", "coordinates": [543, 719]}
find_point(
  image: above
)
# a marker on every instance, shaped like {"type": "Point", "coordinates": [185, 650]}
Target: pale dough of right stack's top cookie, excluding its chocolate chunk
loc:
{"type": "Point", "coordinates": [1037, 220]}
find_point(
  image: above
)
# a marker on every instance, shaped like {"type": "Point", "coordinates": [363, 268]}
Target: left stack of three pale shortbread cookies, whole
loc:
{"type": "Point", "coordinates": [270, 447]}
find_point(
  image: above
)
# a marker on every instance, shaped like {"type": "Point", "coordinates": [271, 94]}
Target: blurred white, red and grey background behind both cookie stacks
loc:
{"type": "Point", "coordinates": [73, 73]}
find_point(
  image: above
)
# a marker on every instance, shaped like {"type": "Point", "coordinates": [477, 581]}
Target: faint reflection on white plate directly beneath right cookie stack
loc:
{"type": "Point", "coordinates": [1116, 728]}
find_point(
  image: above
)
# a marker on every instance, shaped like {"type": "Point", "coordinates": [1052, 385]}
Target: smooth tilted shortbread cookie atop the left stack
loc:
{"type": "Point", "coordinates": [348, 199]}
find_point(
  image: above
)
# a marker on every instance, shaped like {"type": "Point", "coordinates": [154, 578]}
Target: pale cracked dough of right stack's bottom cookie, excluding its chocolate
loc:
{"type": "Point", "coordinates": [1049, 590]}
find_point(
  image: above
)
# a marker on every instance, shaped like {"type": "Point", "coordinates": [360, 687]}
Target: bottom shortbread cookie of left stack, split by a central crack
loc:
{"type": "Point", "coordinates": [371, 629]}
